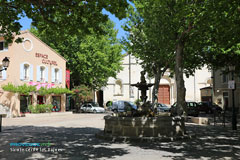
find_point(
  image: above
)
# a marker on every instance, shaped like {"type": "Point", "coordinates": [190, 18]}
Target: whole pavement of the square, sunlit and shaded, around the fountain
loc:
{"type": "Point", "coordinates": [72, 136]}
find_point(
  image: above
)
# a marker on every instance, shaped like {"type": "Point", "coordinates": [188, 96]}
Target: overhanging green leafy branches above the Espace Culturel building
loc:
{"type": "Point", "coordinates": [58, 16]}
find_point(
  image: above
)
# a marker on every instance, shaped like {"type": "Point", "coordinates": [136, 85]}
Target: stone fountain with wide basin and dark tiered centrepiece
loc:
{"type": "Point", "coordinates": [143, 127]}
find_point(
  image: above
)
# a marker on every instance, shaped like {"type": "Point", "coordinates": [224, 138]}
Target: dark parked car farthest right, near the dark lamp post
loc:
{"type": "Point", "coordinates": [208, 107]}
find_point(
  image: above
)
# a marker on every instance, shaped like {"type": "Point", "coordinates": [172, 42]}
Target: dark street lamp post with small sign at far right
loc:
{"type": "Point", "coordinates": [234, 116]}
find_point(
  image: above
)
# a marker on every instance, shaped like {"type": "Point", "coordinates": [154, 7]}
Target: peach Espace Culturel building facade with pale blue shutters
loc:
{"type": "Point", "coordinates": [32, 62]}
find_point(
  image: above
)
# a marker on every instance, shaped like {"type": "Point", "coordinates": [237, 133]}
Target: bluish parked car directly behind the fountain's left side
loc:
{"type": "Point", "coordinates": [122, 106]}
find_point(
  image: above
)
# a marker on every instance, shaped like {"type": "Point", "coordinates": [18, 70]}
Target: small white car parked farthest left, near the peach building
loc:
{"type": "Point", "coordinates": [92, 107]}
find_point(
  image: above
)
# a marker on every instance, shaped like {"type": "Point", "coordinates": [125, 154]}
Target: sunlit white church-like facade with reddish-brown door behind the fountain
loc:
{"type": "Point", "coordinates": [121, 89]}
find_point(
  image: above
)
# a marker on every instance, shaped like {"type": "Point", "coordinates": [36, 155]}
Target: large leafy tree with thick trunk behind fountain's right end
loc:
{"type": "Point", "coordinates": [197, 32]}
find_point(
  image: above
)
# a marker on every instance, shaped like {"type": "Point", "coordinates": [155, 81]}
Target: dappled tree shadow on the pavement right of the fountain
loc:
{"type": "Point", "coordinates": [211, 142]}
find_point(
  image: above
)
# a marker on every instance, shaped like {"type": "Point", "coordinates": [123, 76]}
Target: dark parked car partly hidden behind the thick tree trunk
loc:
{"type": "Point", "coordinates": [192, 109]}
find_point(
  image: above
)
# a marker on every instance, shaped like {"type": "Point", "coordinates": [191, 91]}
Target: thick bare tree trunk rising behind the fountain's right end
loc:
{"type": "Point", "coordinates": [181, 91]}
